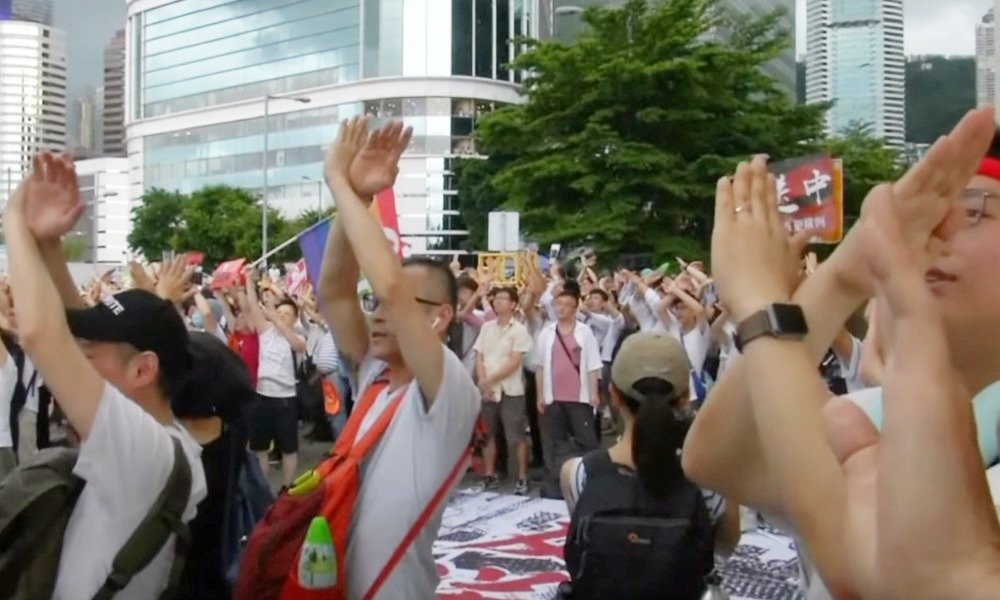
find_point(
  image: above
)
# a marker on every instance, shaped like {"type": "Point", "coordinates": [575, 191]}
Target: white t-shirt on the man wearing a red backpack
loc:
{"type": "Point", "coordinates": [402, 474]}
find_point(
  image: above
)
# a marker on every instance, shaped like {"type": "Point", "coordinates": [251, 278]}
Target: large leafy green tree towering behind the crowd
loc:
{"type": "Point", "coordinates": [623, 134]}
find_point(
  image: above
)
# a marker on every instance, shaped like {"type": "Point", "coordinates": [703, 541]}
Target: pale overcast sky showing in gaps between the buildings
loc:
{"type": "Point", "coordinates": [932, 27]}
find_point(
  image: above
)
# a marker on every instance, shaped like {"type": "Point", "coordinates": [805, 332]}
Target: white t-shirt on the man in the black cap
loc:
{"type": "Point", "coordinates": [125, 461]}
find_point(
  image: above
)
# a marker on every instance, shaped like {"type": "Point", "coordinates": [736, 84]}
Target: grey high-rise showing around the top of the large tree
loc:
{"type": "Point", "coordinates": [562, 19]}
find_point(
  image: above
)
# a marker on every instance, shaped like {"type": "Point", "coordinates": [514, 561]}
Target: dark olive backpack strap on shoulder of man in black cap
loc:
{"type": "Point", "coordinates": [163, 520]}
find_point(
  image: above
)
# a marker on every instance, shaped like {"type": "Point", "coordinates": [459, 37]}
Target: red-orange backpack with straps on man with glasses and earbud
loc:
{"type": "Point", "coordinates": [269, 570]}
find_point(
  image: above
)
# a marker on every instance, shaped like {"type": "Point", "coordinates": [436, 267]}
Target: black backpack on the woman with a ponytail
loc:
{"type": "Point", "coordinates": [624, 543]}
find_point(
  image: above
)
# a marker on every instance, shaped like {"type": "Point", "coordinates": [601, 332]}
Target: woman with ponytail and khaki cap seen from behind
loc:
{"type": "Point", "coordinates": [641, 474]}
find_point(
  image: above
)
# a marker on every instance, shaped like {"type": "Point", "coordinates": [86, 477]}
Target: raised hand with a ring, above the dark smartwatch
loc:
{"type": "Point", "coordinates": [754, 260]}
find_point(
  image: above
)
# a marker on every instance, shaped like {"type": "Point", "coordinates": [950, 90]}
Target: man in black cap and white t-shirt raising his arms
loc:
{"type": "Point", "coordinates": [114, 388]}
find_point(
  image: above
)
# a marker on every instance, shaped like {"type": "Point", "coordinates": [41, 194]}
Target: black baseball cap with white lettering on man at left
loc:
{"type": "Point", "coordinates": [142, 320]}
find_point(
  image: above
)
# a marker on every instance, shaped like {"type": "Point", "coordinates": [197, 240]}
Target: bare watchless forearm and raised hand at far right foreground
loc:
{"type": "Point", "coordinates": [925, 463]}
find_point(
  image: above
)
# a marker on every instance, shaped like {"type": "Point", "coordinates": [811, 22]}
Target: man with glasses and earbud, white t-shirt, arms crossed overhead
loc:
{"type": "Point", "coordinates": [413, 306]}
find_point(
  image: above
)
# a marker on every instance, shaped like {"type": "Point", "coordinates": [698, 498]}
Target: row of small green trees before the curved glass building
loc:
{"type": "Point", "coordinates": [223, 222]}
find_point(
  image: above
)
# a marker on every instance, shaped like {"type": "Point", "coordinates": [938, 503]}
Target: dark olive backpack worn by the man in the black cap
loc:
{"type": "Point", "coordinates": [36, 501]}
